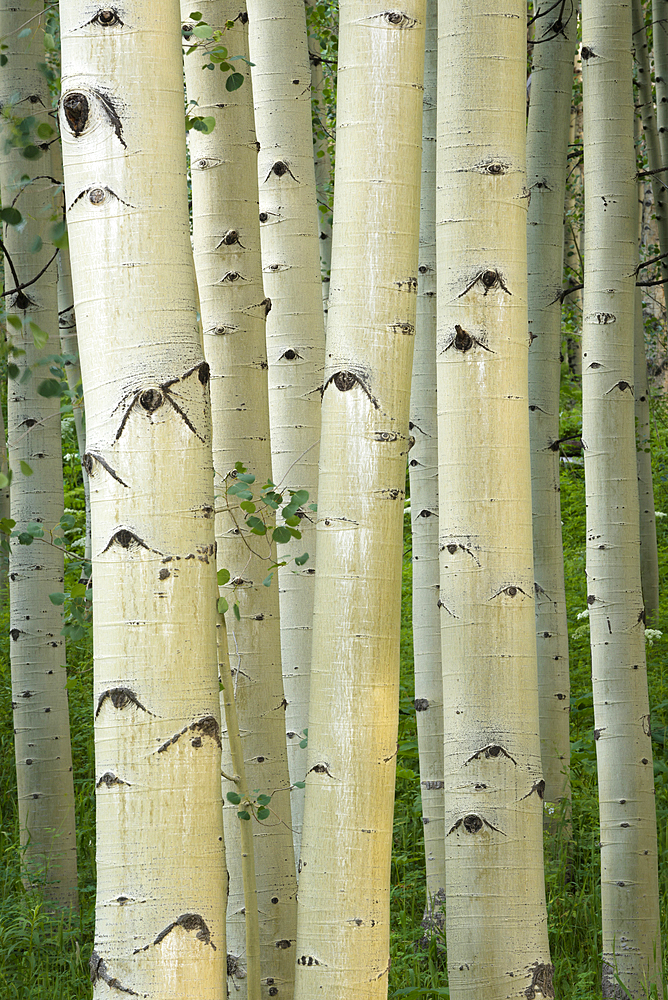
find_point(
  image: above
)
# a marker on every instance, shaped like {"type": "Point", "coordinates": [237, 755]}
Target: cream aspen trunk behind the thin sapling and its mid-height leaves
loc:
{"type": "Point", "coordinates": [226, 238]}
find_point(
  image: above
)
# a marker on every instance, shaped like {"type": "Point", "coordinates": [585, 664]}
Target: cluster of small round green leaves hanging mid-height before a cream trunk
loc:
{"type": "Point", "coordinates": [259, 511]}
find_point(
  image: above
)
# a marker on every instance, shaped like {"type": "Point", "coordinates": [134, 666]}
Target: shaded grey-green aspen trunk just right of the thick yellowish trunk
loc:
{"type": "Point", "coordinates": [547, 147]}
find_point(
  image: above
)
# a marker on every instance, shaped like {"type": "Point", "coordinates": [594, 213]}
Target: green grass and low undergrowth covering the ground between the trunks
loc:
{"type": "Point", "coordinates": [45, 957]}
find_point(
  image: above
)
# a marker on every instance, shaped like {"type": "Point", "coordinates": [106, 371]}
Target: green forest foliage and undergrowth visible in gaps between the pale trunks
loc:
{"type": "Point", "coordinates": [45, 955]}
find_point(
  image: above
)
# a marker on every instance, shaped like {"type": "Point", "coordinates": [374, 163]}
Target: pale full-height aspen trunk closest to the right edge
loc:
{"type": "Point", "coordinates": [629, 890]}
